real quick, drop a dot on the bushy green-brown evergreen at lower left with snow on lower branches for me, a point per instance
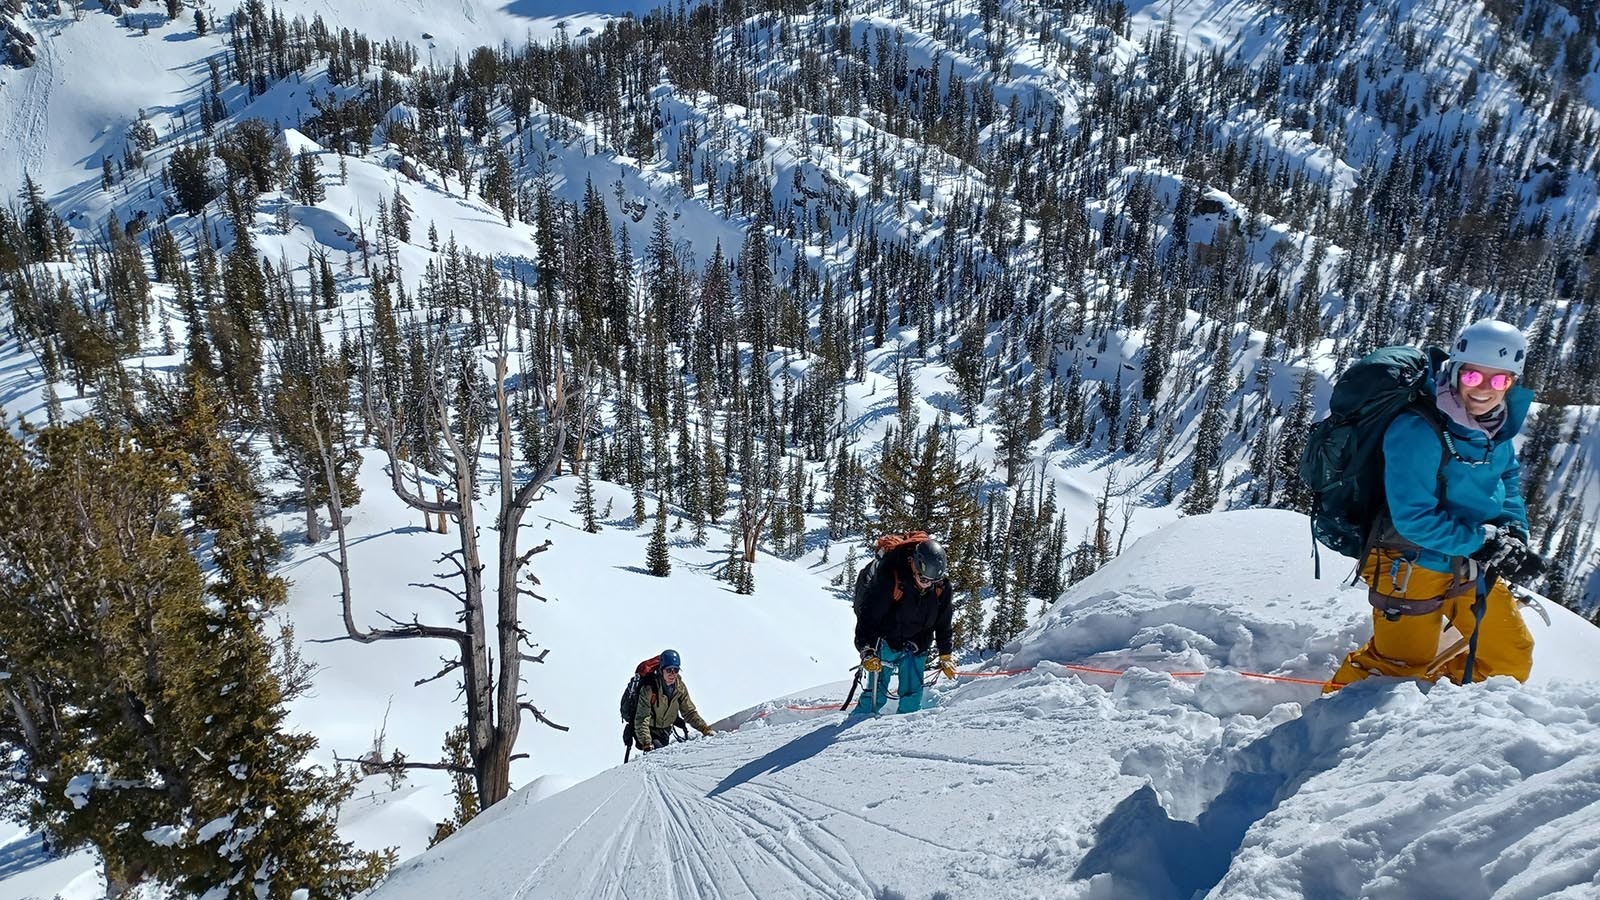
(143, 699)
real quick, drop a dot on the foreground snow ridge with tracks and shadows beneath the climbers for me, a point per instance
(1145, 787)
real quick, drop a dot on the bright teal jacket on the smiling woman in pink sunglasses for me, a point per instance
(1482, 481)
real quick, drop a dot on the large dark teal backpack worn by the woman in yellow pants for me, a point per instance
(1343, 464)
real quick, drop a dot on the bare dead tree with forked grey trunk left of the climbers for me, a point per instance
(495, 701)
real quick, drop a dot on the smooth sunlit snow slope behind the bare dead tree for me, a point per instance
(604, 616)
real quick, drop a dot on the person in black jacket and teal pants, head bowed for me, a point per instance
(903, 606)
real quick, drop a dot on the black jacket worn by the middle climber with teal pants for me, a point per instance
(916, 617)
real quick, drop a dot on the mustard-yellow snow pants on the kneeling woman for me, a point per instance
(1407, 646)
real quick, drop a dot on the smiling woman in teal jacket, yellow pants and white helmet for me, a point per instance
(1455, 507)
